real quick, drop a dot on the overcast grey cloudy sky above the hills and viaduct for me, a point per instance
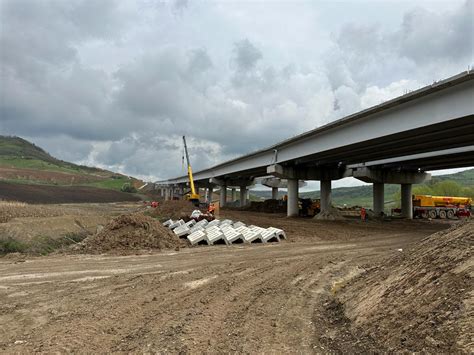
(116, 84)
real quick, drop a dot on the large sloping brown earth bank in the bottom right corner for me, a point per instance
(420, 300)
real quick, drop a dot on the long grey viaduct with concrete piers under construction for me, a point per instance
(395, 142)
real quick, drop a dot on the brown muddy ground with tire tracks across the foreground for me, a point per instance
(276, 298)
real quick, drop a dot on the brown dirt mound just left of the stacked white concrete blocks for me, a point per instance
(129, 233)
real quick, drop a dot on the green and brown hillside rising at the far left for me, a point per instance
(23, 162)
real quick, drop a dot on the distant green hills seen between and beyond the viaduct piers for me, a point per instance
(462, 183)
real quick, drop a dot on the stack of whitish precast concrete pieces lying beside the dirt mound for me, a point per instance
(223, 232)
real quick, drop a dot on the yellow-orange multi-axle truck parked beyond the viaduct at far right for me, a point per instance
(427, 206)
